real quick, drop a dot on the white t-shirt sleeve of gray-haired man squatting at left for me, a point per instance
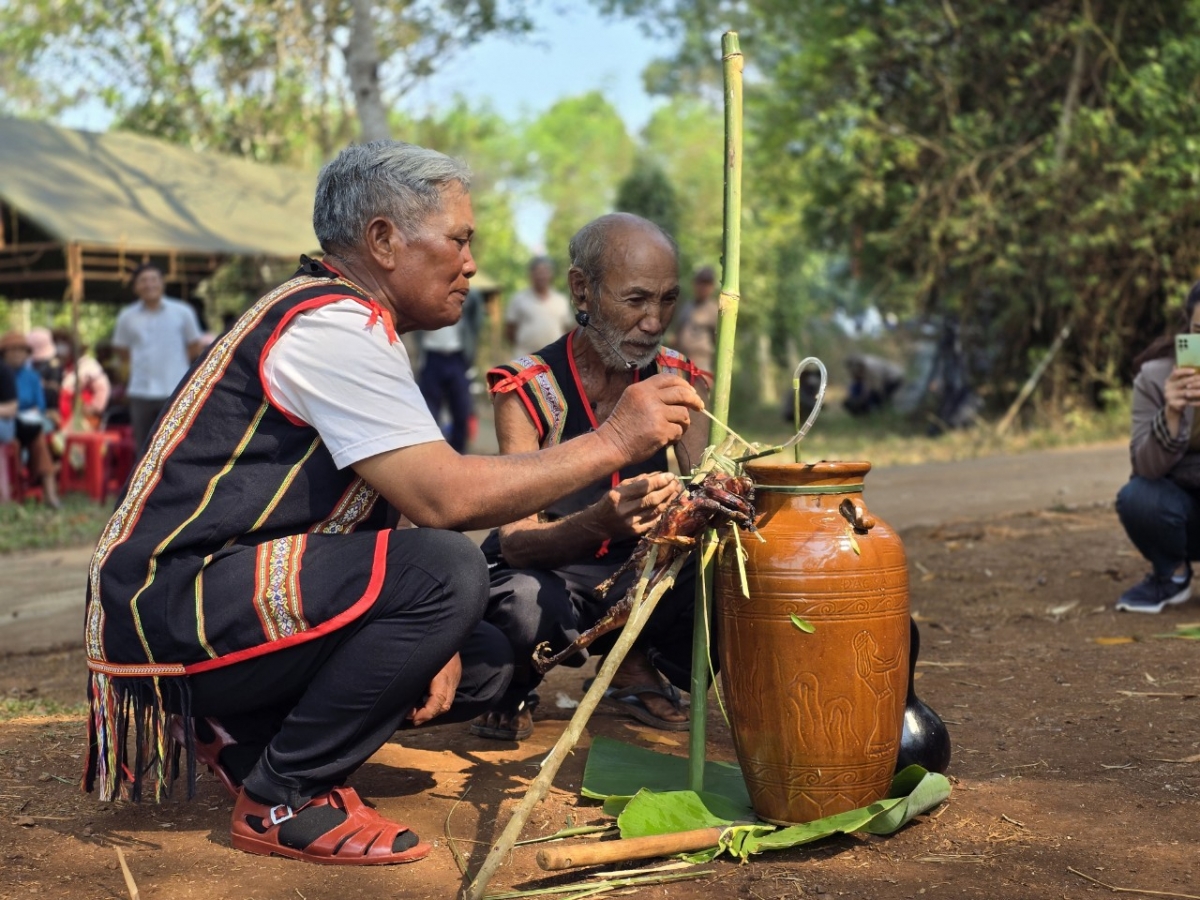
(344, 379)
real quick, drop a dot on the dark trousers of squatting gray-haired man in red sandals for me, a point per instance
(322, 709)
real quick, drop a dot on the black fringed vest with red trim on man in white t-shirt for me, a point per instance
(237, 536)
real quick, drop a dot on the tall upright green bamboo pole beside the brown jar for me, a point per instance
(723, 377)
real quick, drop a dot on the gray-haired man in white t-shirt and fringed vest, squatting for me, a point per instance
(250, 602)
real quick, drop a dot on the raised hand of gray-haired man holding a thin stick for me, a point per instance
(650, 416)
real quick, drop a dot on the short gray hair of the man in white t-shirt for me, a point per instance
(383, 178)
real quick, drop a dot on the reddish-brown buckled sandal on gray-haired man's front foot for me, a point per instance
(337, 829)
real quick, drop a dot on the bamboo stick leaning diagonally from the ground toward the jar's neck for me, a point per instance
(567, 741)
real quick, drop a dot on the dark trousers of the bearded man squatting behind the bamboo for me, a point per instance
(555, 605)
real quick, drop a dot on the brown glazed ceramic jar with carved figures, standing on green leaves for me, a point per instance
(817, 717)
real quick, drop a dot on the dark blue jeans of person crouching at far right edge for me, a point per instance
(1162, 520)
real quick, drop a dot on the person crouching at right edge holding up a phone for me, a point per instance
(1160, 507)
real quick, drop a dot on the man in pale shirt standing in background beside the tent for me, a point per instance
(158, 338)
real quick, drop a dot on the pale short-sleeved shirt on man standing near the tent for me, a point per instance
(158, 344)
